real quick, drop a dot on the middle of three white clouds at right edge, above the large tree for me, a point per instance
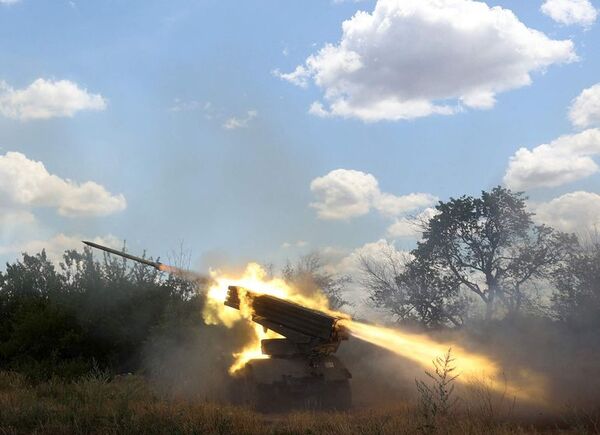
(562, 161)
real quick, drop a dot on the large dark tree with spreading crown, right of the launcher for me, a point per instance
(490, 246)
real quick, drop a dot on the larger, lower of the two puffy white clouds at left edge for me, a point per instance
(26, 183)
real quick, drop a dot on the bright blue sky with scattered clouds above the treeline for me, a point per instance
(157, 83)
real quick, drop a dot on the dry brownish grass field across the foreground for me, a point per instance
(128, 405)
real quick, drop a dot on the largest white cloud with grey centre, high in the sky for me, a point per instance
(408, 59)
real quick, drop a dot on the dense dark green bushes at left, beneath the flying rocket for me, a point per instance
(86, 314)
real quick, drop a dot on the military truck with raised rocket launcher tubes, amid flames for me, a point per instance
(301, 371)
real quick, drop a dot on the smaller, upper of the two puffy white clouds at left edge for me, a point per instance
(44, 99)
